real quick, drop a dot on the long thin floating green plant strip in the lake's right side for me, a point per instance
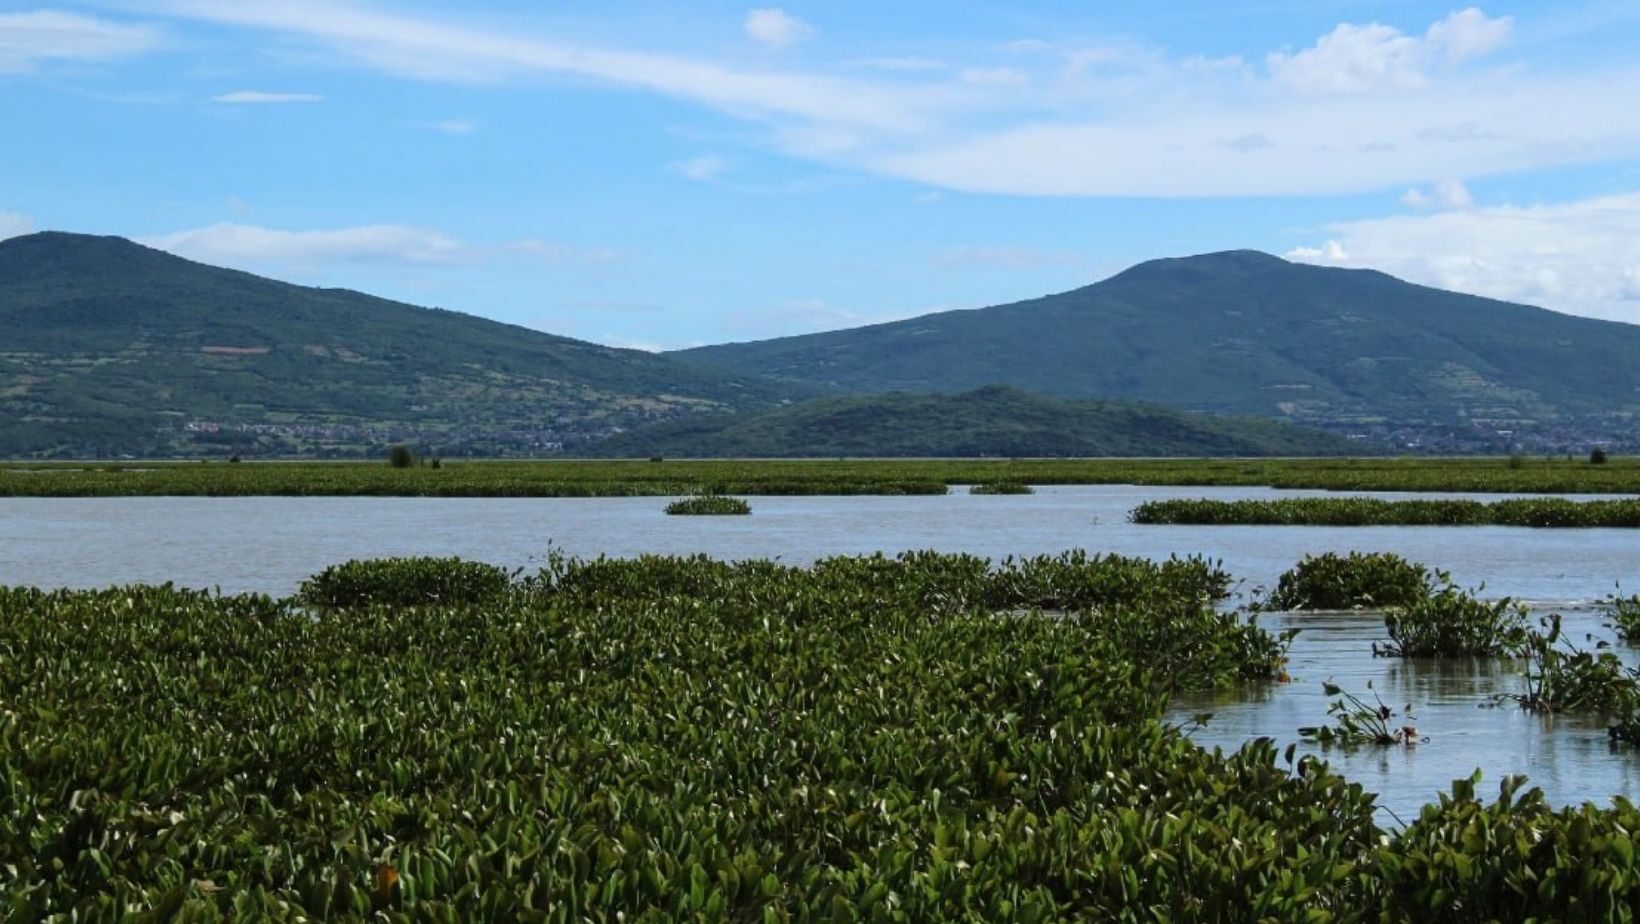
(1377, 513)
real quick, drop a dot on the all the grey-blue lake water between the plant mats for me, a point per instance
(271, 544)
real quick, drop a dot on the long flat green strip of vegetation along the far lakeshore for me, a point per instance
(808, 477)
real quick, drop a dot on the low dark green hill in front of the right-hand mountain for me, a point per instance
(995, 421)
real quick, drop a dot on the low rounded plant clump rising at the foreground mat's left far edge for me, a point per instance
(404, 582)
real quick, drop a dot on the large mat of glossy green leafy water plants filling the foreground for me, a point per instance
(672, 739)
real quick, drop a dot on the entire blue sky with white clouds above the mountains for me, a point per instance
(660, 175)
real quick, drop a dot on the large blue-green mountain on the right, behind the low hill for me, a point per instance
(1246, 332)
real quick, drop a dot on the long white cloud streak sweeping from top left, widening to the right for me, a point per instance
(1101, 122)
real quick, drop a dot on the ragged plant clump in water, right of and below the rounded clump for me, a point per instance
(1454, 624)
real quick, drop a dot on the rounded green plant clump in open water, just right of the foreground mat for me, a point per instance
(1357, 580)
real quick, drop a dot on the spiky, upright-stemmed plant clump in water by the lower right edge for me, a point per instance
(1564, 679)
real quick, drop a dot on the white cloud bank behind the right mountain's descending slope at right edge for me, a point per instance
(1575, 257)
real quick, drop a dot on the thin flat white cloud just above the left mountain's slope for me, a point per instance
(252, 247)
